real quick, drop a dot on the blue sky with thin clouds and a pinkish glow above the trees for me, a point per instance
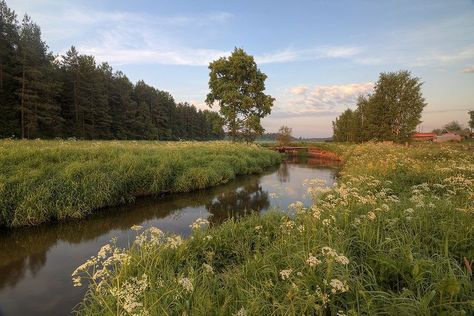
(318, 55)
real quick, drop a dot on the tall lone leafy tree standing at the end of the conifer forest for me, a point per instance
(237, 86)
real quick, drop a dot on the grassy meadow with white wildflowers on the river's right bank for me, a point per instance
(394, 236)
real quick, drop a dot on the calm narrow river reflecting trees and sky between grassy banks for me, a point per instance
(36, 263)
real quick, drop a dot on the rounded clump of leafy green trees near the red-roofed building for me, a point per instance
(391, 112)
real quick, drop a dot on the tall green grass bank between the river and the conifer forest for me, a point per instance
(42, 181)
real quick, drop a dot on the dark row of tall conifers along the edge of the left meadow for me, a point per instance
(48, 96)
